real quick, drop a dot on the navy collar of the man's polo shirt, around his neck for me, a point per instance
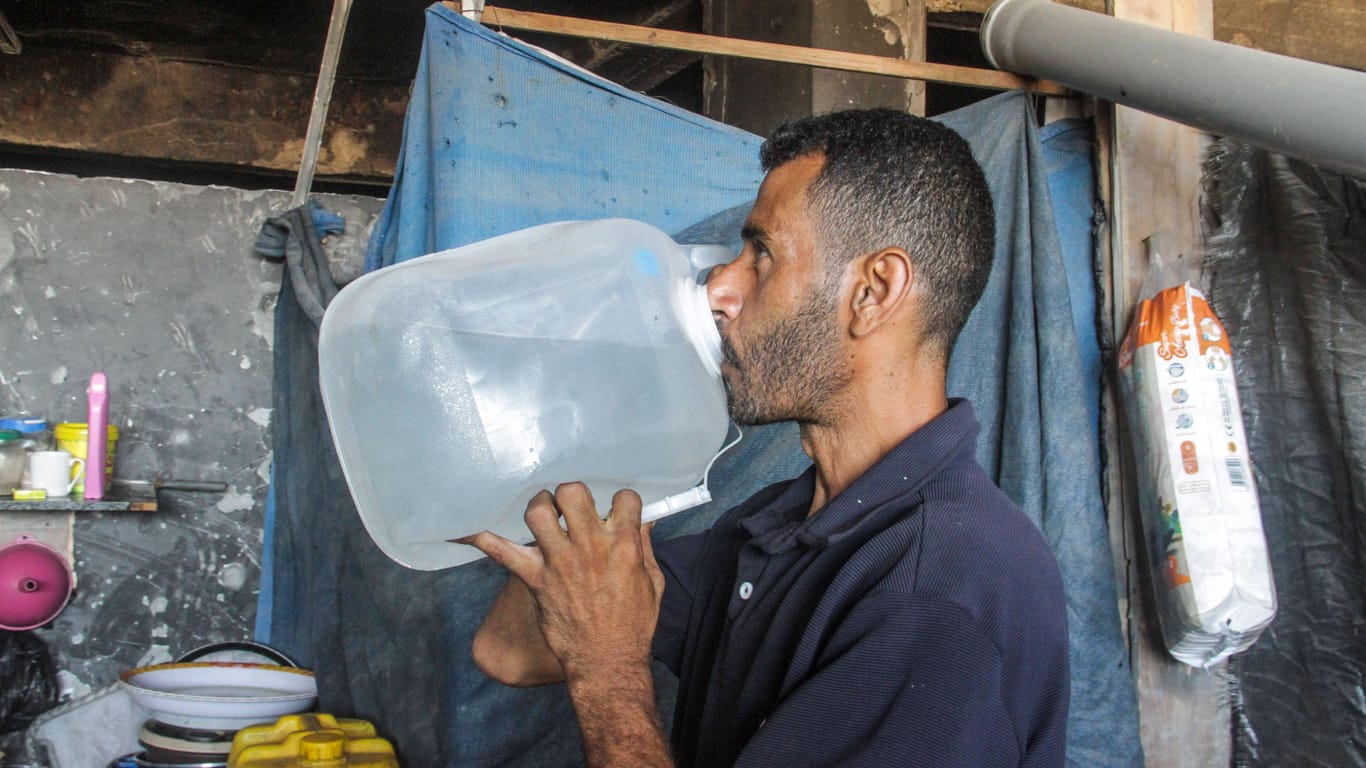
(905, 469)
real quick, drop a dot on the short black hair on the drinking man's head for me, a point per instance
(895, 180)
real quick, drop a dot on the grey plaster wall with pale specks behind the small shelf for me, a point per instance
(158, 286)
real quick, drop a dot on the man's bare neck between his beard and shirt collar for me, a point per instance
(867, 428)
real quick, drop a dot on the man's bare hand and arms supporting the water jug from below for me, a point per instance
(592, 592)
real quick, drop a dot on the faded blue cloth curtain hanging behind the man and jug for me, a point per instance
(499, 137)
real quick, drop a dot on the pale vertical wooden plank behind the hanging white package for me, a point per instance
(1155, 181)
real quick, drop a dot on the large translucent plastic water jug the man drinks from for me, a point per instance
(462, 383)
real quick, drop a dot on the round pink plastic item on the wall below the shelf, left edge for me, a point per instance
(35, 584)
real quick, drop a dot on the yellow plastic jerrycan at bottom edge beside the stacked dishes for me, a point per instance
(312, 741)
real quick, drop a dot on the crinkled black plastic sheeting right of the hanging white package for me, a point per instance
(1286, 270)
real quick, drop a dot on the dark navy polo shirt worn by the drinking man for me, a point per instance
(917, 620)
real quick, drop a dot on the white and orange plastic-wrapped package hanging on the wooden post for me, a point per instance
(1201, 516)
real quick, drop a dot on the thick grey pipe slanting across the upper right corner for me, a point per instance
(1312, 111)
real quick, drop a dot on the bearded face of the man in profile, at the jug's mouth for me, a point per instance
(777, 311)
